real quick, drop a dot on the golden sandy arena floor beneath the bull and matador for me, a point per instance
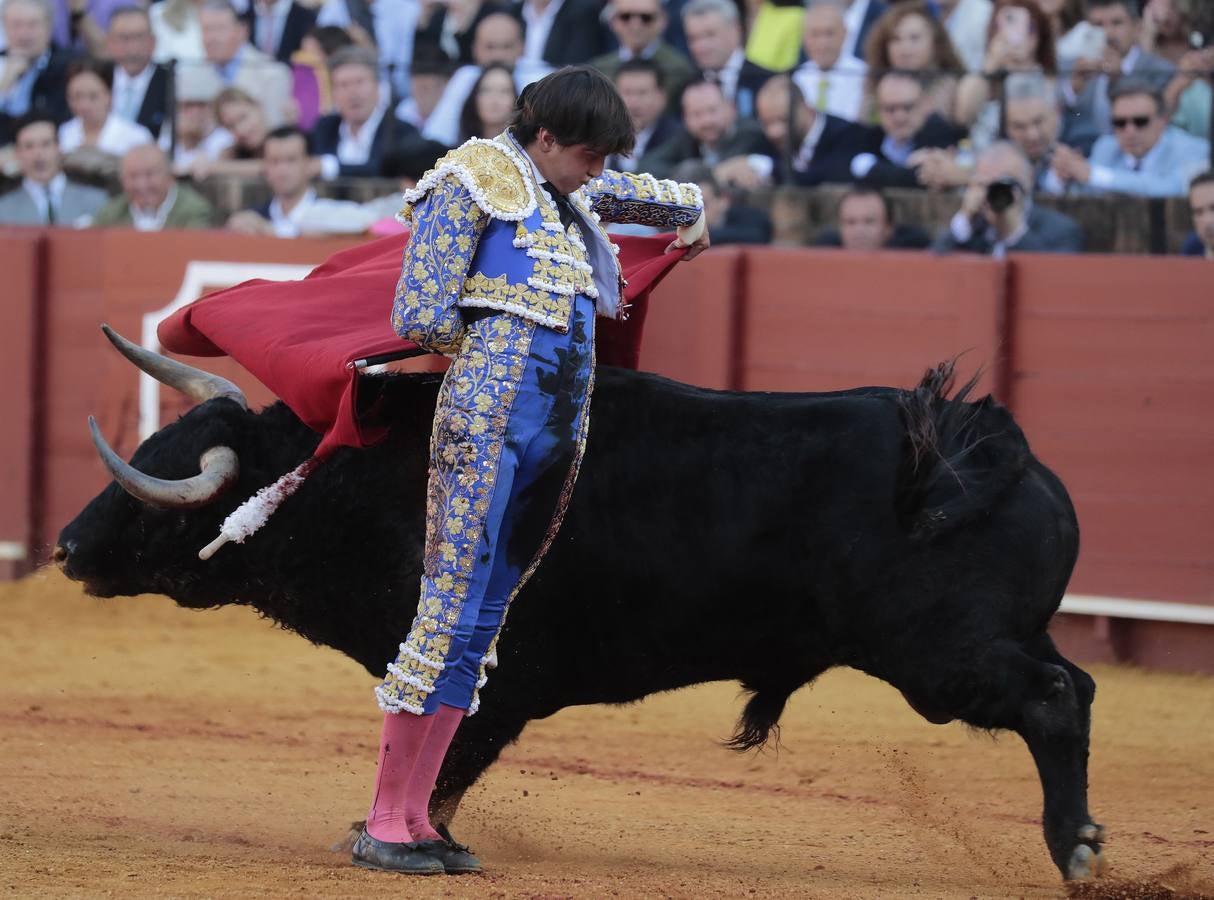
(146, 750)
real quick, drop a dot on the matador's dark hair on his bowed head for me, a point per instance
(578, 105)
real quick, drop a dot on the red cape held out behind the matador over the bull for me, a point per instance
(298, 338)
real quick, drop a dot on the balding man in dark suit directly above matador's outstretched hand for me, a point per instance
(712, 133)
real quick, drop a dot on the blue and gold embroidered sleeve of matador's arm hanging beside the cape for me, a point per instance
(447, 225)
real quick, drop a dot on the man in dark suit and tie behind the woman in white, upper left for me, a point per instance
(141, 87)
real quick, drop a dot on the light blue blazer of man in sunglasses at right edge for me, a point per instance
(1166, 171)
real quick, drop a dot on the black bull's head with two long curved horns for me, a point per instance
(143, 533)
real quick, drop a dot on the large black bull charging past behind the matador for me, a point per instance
(713, 536)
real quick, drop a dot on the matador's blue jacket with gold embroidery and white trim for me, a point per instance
(486, 235)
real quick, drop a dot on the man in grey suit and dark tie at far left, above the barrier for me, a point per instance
(46, 196)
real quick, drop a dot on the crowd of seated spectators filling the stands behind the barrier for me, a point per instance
(1001, 103)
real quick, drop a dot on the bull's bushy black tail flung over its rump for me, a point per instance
(958, 456)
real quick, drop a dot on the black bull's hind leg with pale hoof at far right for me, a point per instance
(1057, 729)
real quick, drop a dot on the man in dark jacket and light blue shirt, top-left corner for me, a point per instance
(33, 76)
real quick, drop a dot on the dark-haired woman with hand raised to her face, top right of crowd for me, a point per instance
(1019, 39)
